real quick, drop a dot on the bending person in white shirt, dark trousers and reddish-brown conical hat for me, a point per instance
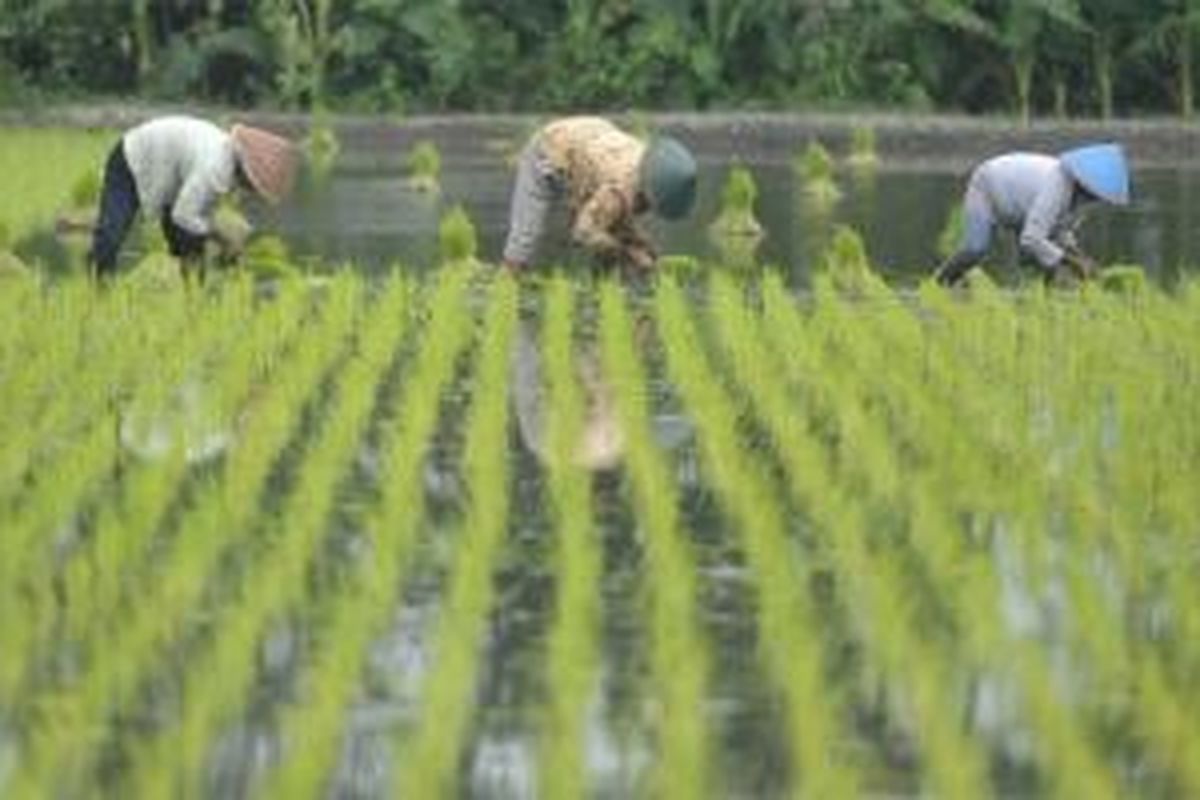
(176, 169)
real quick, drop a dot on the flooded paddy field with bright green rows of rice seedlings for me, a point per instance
(375, 533)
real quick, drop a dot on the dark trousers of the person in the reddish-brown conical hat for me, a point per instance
(118, 208)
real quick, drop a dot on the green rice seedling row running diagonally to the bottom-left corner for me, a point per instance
(64, 742)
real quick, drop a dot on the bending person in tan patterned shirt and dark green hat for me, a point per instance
(608, 178)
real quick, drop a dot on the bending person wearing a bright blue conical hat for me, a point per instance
(1042, 199)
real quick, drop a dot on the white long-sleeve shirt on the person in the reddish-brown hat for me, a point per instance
(182, 165)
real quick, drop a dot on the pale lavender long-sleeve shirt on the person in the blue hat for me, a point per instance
(1034, 195)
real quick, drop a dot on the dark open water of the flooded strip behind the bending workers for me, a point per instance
(364, 212)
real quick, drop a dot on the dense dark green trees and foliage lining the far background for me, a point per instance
(1025, 57)
